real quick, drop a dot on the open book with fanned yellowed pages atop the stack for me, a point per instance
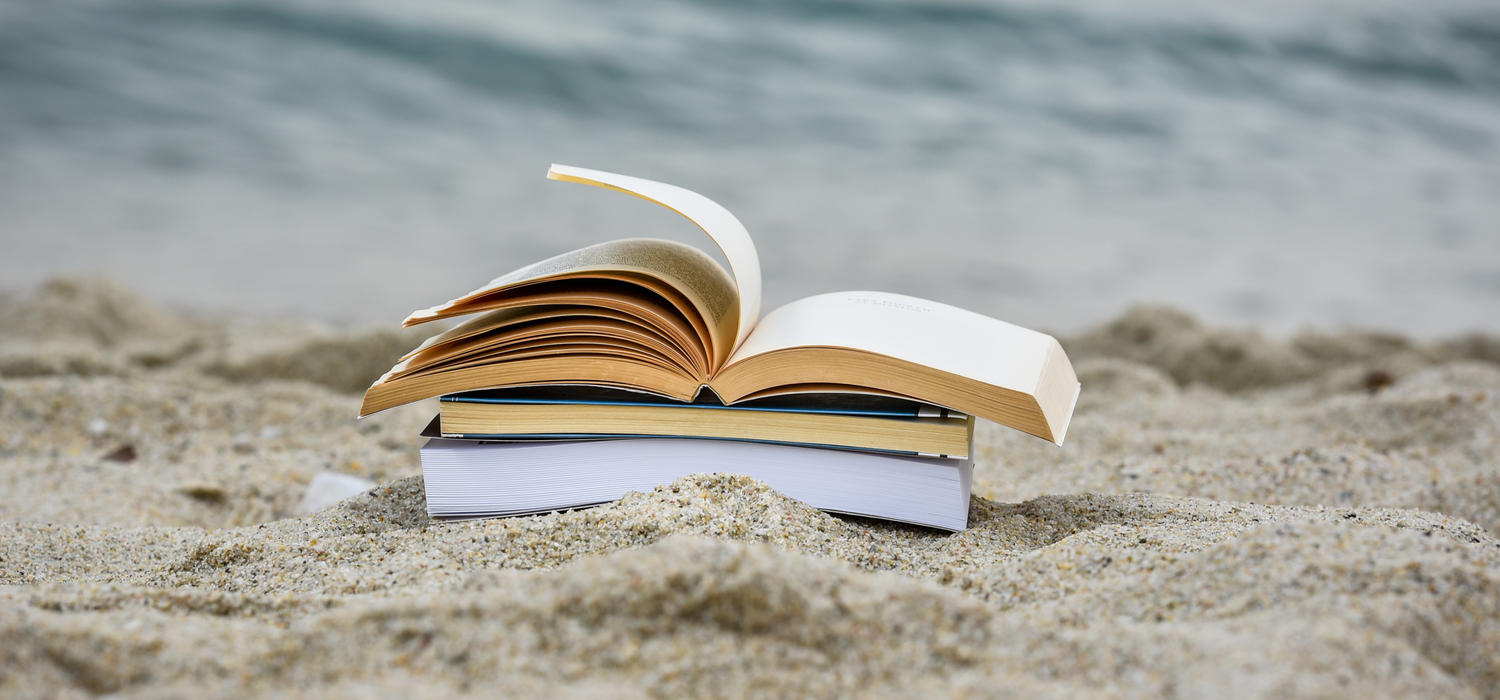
(665, 319)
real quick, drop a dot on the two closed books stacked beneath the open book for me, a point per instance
(517, 452)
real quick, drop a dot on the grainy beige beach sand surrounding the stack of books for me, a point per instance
(1232, 515)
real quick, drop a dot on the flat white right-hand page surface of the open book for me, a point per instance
(920, 332)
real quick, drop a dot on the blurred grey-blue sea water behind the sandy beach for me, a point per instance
(1279, 164)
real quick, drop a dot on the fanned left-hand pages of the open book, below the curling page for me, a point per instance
(641, 313)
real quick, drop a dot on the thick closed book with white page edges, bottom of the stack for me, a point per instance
(467, 479)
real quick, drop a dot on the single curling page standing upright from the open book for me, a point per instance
(718, 223)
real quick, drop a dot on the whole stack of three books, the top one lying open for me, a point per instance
(632, 363)
